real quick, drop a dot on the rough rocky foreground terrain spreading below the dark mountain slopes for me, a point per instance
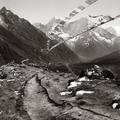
(30, 93)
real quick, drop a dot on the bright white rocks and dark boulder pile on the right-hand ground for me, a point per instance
(90, 75)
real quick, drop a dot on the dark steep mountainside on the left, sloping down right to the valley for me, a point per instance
(20, 40)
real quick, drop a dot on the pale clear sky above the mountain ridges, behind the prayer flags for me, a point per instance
(43, 10)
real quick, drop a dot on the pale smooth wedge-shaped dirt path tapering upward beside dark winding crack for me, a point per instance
(37, 103)
